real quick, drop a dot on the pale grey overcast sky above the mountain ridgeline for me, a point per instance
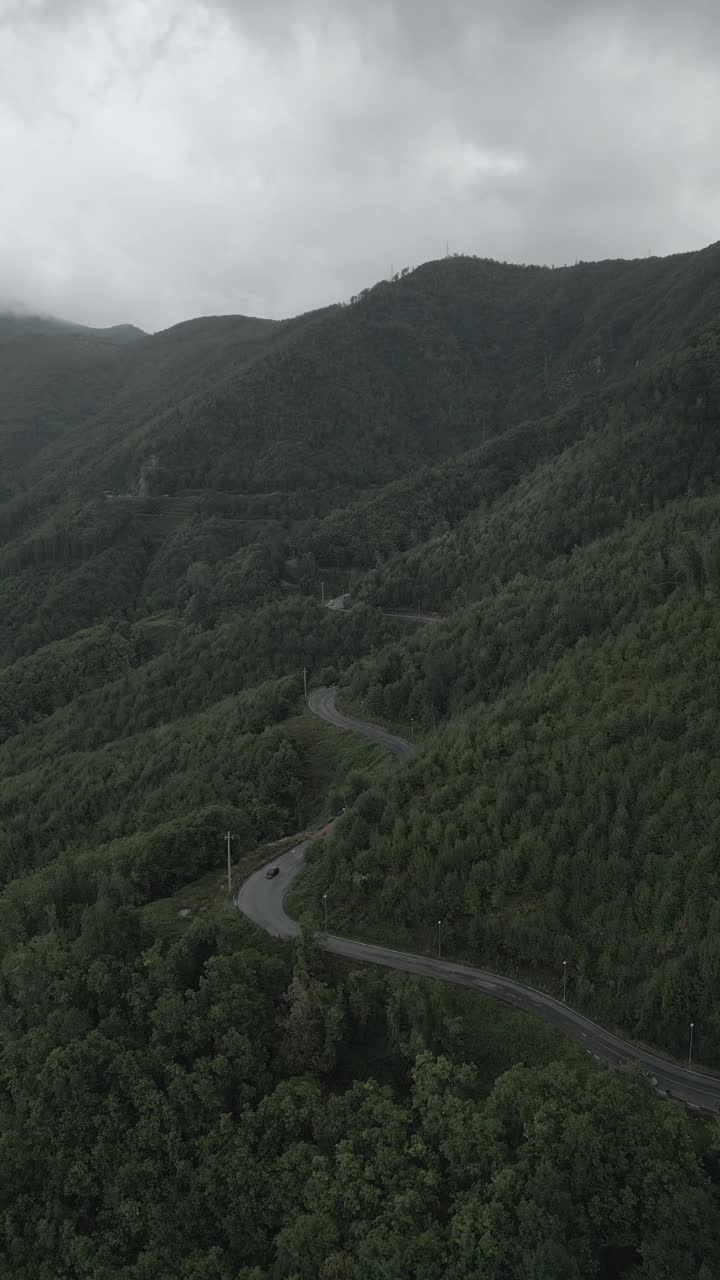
(165, 159)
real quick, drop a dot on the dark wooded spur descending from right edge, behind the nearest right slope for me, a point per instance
(554, 482)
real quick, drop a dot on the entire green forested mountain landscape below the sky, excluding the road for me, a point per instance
(534, 458)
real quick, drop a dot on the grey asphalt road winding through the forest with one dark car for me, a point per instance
(262, 900)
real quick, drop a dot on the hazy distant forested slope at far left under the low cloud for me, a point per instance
(66, 388)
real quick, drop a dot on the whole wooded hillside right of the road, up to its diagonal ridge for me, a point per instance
(566, 810)
